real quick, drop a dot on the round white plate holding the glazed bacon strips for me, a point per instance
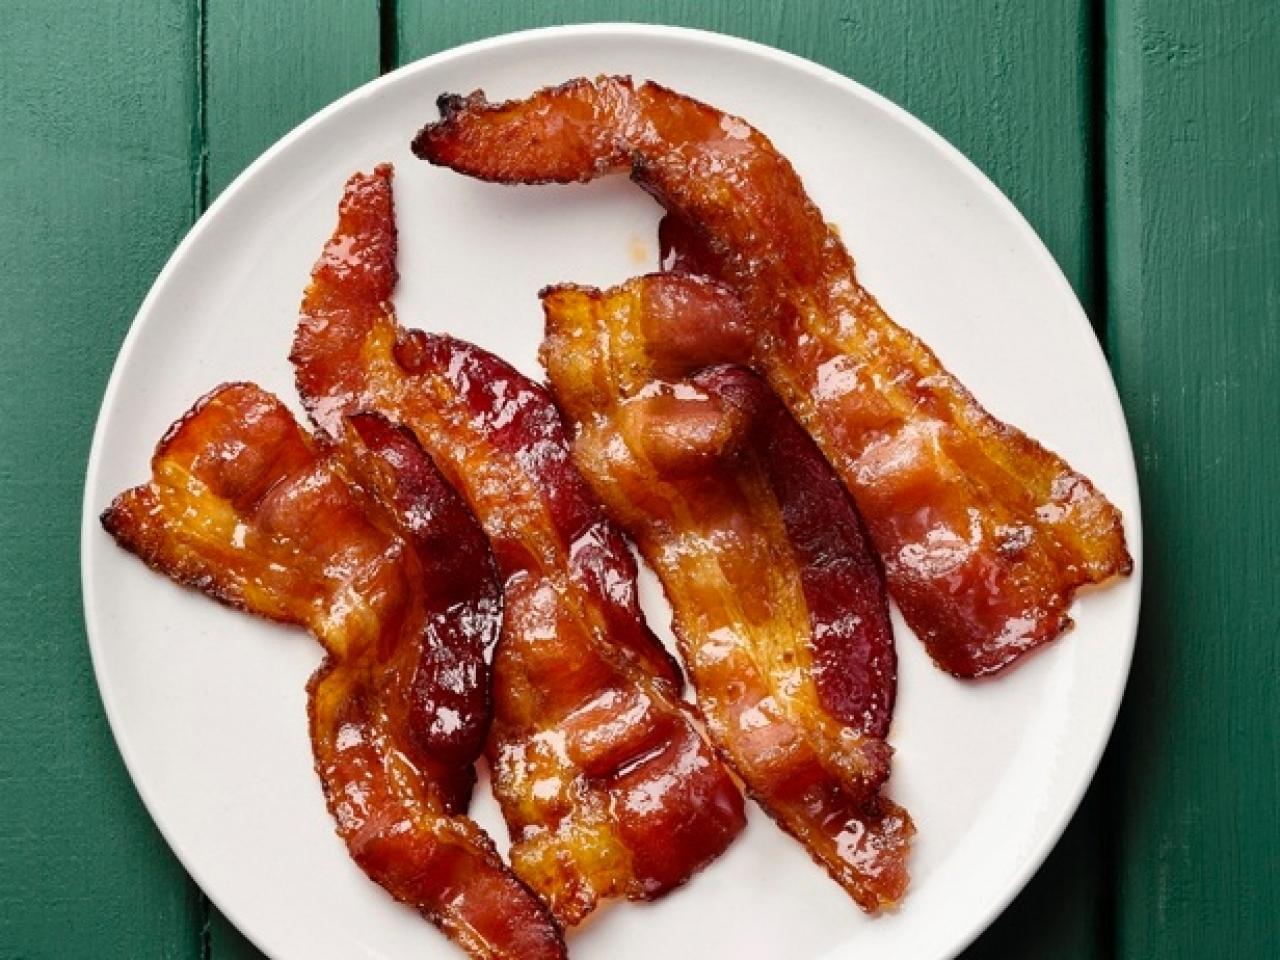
(208, 706)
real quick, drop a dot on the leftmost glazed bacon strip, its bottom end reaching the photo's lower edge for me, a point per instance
(349, 541)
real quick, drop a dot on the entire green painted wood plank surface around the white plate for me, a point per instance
(1165, 220)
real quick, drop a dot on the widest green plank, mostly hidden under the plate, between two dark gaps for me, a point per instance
(1007, 83)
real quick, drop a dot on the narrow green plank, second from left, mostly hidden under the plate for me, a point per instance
(268, 67)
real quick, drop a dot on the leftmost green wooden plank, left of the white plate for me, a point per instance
(98, 106)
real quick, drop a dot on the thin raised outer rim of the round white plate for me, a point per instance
(1049, 839)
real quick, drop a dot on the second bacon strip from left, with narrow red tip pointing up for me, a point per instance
(606, 785)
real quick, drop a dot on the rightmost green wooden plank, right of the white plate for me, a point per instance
(1194, 240)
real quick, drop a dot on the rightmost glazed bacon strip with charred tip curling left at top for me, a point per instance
(985, 534)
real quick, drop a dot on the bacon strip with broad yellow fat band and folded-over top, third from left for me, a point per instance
(779, 598)
